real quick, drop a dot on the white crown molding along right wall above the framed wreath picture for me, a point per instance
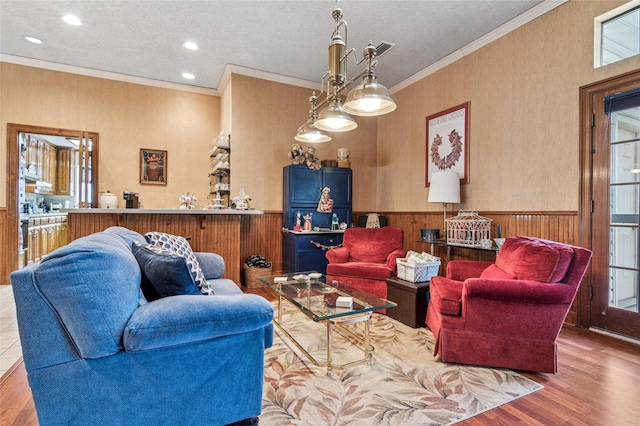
(515, 23)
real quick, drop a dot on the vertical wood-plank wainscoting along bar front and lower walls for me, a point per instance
(262, 234)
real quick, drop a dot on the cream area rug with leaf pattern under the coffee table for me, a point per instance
(404, 385)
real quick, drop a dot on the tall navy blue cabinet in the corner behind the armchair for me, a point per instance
(302, 188)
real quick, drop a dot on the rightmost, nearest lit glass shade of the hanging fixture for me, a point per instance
(369, 98)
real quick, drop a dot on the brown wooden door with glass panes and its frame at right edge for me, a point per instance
(611, 204)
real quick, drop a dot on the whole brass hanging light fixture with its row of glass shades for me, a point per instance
(369, 98)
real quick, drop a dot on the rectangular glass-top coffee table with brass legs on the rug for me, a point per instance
(327, 303)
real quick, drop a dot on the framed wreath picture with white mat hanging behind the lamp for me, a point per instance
(448, 142)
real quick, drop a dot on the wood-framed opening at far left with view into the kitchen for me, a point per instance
(48, 168)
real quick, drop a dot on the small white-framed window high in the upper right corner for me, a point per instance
(617, 34)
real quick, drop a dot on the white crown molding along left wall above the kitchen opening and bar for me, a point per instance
(54, 66)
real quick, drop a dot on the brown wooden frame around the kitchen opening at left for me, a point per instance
(13, 163)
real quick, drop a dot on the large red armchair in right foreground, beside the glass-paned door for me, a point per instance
(508, 313)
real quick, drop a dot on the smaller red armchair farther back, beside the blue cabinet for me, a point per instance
(367, 258)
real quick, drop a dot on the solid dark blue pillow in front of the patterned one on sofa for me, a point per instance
(163, 272)
